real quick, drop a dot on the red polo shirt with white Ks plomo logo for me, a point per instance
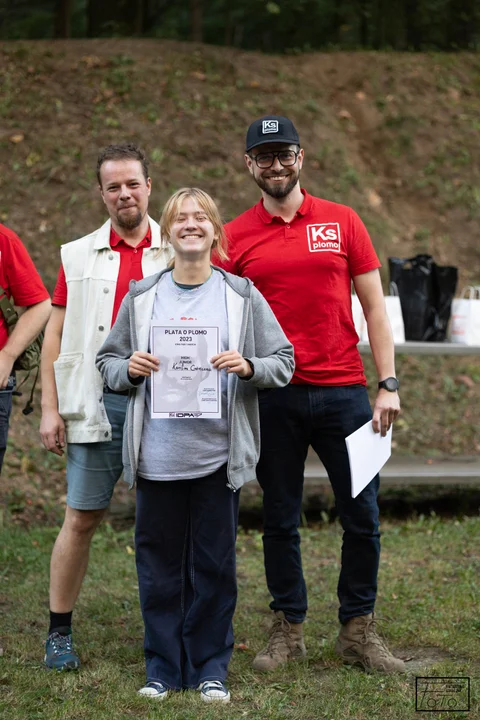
(304, 269)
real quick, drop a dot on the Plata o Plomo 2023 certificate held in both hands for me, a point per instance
(186, 385)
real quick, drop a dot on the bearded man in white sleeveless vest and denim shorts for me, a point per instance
(79, 414)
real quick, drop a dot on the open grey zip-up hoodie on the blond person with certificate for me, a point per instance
(253, 330)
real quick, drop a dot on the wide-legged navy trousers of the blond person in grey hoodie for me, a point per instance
(185, 551)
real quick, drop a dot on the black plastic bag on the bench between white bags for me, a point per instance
(426, 292)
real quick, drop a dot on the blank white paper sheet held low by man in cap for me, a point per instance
(368, 452)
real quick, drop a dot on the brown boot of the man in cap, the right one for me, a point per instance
(358, 643)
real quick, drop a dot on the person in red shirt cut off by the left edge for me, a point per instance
(21, 283)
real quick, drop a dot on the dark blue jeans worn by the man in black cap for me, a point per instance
(292, 418)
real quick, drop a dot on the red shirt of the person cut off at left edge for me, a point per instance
(18, 276)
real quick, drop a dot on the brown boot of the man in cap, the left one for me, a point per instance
(285, 643)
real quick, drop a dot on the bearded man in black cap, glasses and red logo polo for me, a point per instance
(302, 253)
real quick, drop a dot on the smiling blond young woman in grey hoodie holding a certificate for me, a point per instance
(188, 466)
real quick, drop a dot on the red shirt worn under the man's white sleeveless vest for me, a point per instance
(130, 269)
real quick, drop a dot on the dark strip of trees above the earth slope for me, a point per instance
(291, 26)
